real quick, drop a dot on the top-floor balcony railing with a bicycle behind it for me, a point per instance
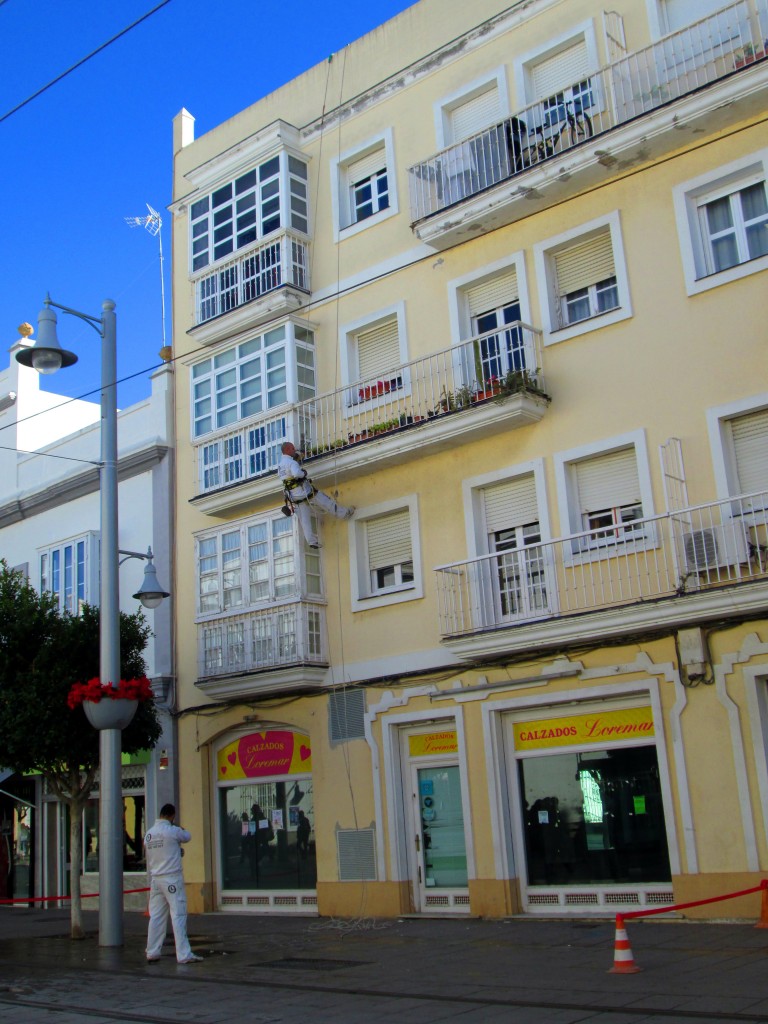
(642, 81)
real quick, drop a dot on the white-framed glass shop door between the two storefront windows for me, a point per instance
(440, 840)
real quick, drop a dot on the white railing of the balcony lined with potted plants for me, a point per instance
(492, 367)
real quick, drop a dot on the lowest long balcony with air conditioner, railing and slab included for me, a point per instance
(660, 574)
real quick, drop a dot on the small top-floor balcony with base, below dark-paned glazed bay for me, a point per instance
(270, 279)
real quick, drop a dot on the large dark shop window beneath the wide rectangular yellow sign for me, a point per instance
(594, 818)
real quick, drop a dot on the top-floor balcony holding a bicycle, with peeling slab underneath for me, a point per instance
(619, 117)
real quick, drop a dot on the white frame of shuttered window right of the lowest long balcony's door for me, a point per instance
(571, 515)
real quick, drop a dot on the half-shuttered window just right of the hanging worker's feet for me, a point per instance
(386, 561)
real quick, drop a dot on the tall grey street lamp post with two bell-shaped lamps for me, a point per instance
(47, 356)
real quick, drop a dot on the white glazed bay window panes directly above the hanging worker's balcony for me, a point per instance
(239, 383)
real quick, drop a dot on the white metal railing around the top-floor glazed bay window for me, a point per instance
(282, 261)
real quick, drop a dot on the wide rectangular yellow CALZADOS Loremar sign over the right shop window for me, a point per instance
(599, 728)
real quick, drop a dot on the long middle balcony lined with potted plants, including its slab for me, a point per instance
(488, 383)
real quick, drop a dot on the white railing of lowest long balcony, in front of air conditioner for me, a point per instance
(668, 556)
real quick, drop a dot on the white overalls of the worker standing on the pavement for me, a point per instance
(163, 846)
